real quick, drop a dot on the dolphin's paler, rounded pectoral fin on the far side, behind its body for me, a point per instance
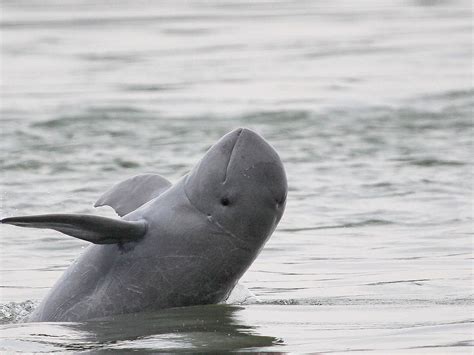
(128, 195)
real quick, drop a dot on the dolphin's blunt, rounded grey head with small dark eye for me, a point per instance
(240, 184)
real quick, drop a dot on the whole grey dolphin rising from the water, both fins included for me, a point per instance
(175, 245)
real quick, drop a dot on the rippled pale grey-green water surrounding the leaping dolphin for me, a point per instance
(369, 104)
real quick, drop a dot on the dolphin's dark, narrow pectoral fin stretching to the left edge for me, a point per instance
(94, 229)
